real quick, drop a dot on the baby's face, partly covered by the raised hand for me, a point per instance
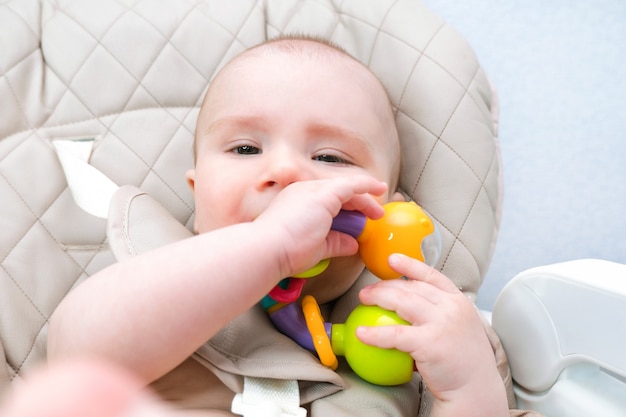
(273, 119)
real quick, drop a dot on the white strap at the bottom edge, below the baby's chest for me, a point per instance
(267, 397)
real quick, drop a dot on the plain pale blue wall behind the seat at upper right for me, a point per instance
(559, 67)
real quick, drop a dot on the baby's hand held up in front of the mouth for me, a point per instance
(301, 216)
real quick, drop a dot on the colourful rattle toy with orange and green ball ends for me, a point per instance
(405, 228)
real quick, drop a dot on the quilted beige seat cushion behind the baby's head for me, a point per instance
(131, 74)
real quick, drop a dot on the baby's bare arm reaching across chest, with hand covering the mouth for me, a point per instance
(150, 312)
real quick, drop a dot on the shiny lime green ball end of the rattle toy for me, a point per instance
(373, 364)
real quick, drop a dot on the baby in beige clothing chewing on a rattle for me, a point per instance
(290, 132)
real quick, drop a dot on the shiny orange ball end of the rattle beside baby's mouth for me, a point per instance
(401, 230)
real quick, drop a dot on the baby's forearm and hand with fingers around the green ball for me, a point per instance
(446, 339)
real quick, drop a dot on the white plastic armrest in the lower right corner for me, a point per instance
(563, 327)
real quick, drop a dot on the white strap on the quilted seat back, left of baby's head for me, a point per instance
(91, 189)
